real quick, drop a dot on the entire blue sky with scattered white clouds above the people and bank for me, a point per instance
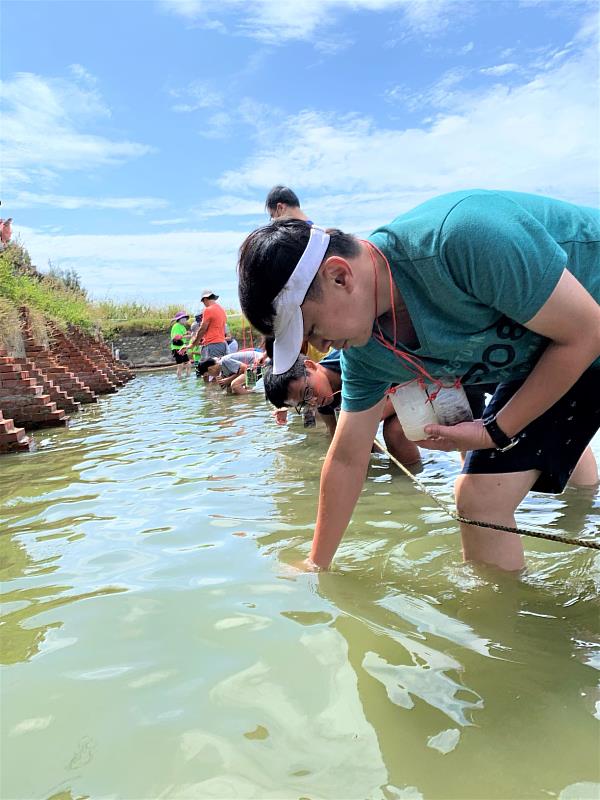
(139, 138)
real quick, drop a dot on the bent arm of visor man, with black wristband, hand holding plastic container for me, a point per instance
(570, 319)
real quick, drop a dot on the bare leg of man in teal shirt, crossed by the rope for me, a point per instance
(492, 498)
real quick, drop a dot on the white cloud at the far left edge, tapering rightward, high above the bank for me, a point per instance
(42, 129)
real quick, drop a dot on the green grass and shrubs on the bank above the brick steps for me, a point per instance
(59, 296)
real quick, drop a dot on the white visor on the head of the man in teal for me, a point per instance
(288, 325)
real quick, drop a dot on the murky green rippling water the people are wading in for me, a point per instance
(155, 643)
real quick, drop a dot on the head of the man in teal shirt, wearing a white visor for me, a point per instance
(297, 281)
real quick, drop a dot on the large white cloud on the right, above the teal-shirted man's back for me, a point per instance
(540, 135)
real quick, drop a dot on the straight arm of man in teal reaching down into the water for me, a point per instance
(342, 478)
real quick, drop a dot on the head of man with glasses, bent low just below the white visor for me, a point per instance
(306, 383)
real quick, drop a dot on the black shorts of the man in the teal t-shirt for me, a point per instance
(553, 443)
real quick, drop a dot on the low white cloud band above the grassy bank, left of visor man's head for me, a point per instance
(159, 267)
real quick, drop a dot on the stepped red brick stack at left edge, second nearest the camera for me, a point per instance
(23, 400)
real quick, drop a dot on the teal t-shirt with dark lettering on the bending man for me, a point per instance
(472, 268)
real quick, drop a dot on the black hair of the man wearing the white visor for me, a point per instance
(267, 258)
